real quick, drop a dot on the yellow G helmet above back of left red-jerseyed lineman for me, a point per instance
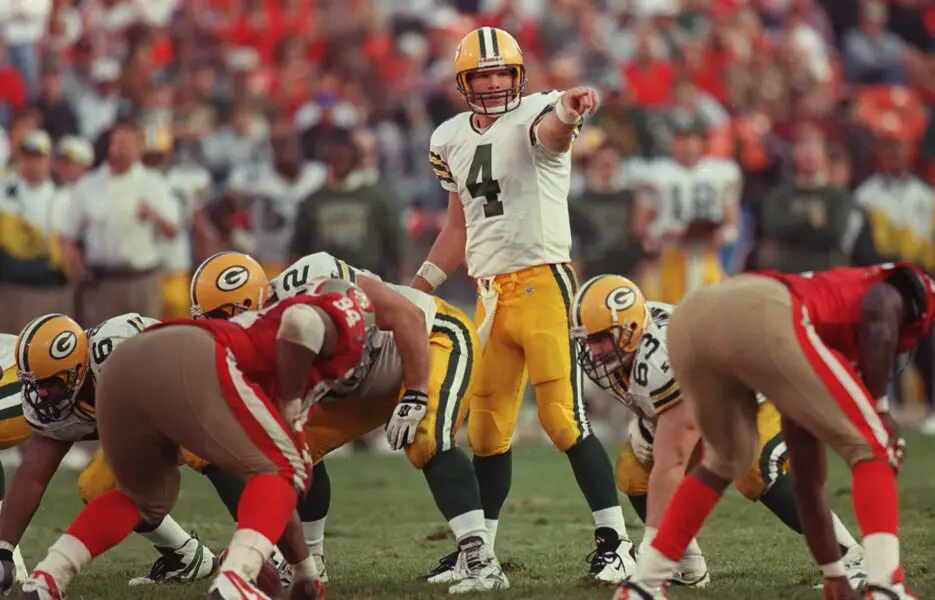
(228, 284)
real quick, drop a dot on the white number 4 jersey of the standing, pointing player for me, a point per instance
(514, 191)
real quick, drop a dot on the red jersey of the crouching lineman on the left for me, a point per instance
(250, 338)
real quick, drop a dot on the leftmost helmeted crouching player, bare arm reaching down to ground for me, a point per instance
(53, 357)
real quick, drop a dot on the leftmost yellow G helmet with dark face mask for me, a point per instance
(52, 362)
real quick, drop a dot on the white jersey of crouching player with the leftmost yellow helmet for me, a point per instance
(102, 339)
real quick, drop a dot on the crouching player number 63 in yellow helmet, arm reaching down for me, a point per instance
(621, 342)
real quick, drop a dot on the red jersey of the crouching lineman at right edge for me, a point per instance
(833, 300)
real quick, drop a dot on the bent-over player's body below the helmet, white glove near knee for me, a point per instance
(415, 382)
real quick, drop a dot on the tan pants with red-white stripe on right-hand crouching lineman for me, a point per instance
(748, 333)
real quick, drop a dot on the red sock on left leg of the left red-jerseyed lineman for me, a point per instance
(105, 522)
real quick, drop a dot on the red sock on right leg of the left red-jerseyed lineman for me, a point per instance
(265, 506)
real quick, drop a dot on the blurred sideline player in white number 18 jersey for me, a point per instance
(695, 201)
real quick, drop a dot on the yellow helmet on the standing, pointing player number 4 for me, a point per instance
(490, 49)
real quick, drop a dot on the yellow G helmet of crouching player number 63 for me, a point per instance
(611, 308)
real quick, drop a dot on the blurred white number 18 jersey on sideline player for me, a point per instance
(685, 194)
